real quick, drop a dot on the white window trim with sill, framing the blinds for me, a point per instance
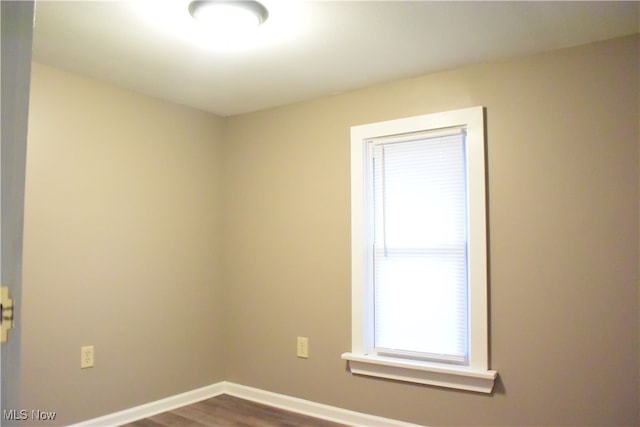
(476, 376)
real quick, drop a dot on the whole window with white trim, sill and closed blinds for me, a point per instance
(419, 264)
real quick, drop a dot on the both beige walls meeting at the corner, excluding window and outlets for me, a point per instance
(122, 242)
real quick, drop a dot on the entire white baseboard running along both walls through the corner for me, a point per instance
(294, 404)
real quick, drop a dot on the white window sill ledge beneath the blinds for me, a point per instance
(458, 377)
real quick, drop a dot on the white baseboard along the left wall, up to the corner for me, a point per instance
(154, 408)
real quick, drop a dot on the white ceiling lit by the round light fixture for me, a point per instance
(306, 49)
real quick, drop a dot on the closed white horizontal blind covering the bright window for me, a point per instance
(418, 195)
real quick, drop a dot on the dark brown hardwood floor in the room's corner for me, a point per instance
(225, 410)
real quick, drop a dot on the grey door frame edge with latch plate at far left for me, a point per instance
(17, 40)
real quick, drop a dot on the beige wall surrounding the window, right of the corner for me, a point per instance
(563, 198)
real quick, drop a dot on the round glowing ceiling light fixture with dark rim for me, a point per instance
(229, 18)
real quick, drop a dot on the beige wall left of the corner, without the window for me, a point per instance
(121, 248)
